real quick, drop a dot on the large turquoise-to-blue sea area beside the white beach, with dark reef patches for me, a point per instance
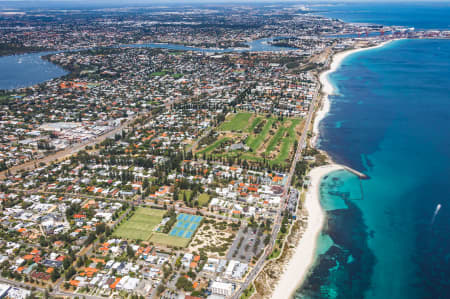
(391, 120)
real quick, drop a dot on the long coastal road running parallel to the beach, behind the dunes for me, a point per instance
(277, 225)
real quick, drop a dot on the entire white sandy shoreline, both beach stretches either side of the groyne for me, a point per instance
(303, 258)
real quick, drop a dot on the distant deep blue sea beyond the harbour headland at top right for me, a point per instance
(421, 15)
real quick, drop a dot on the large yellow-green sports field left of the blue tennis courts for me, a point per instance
(140, 226)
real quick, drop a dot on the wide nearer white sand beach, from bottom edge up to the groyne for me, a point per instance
(303, 257)
